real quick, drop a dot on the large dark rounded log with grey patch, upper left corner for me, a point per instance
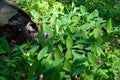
(15, 24)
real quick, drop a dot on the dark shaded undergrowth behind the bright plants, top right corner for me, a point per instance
(107, 8)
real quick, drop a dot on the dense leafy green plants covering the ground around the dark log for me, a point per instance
(82, 46)
